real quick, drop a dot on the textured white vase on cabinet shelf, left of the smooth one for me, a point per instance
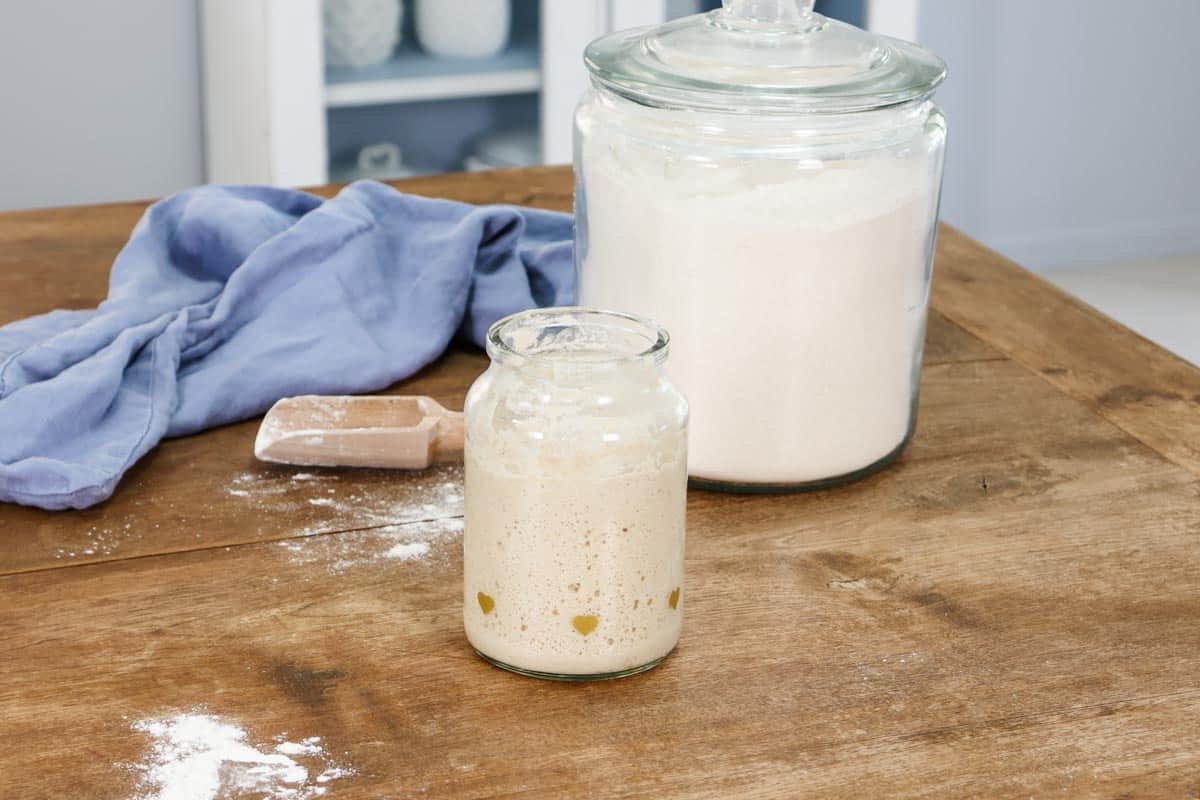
(361, 33)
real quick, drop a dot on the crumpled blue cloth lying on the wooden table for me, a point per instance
(227, 299)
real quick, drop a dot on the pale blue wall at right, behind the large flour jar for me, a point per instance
(1075, 127)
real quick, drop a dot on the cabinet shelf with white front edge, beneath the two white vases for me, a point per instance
(413, 75)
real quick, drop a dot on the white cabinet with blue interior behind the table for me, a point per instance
(274, 115)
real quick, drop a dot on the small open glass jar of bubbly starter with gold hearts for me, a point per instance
(577, 489)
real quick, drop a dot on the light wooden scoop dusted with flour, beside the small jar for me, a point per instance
(389, 432)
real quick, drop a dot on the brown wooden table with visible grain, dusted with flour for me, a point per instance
(1012, 610)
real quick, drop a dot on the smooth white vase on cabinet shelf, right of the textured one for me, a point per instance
(464, 29)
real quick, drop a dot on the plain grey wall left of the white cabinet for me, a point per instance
(99, 101)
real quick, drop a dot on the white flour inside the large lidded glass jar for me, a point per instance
(795, 294)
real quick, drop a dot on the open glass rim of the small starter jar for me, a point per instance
(616, 338)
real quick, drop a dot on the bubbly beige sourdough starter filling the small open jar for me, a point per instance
(574, 575)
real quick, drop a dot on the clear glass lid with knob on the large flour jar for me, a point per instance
(775, 57)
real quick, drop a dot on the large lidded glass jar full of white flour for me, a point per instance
(765, 183)
